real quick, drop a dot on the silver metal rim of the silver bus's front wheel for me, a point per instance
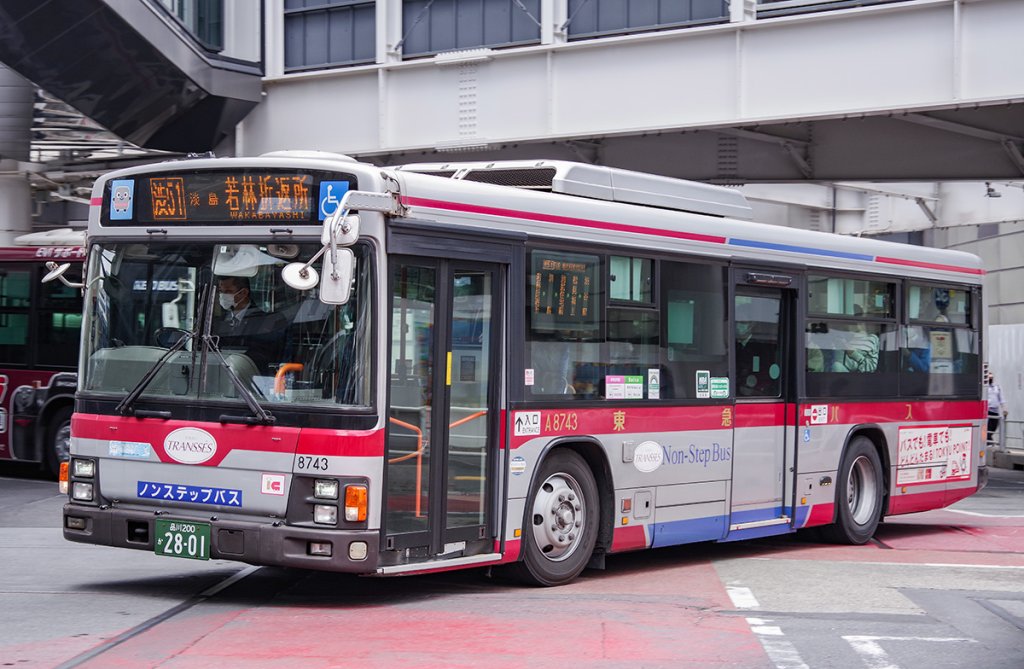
(560, 517)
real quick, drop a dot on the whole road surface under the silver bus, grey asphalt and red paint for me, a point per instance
(935, 591)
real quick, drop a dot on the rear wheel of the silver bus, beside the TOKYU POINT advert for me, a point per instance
(859, 495)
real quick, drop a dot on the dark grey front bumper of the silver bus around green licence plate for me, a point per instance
(255, 543)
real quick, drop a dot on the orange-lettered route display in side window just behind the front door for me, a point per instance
(563, 292)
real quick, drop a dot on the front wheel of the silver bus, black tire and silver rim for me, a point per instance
(562, 522)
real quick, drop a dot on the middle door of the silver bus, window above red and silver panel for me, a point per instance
(764, 423)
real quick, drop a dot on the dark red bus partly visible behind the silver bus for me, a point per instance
(40, 327)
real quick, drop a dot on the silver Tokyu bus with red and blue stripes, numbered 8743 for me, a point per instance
(306, 361)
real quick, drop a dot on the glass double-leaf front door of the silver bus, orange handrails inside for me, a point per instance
(443, 424)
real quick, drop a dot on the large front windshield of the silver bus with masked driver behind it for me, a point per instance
(202, 321)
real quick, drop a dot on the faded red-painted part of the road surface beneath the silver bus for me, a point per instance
(658, 609)
